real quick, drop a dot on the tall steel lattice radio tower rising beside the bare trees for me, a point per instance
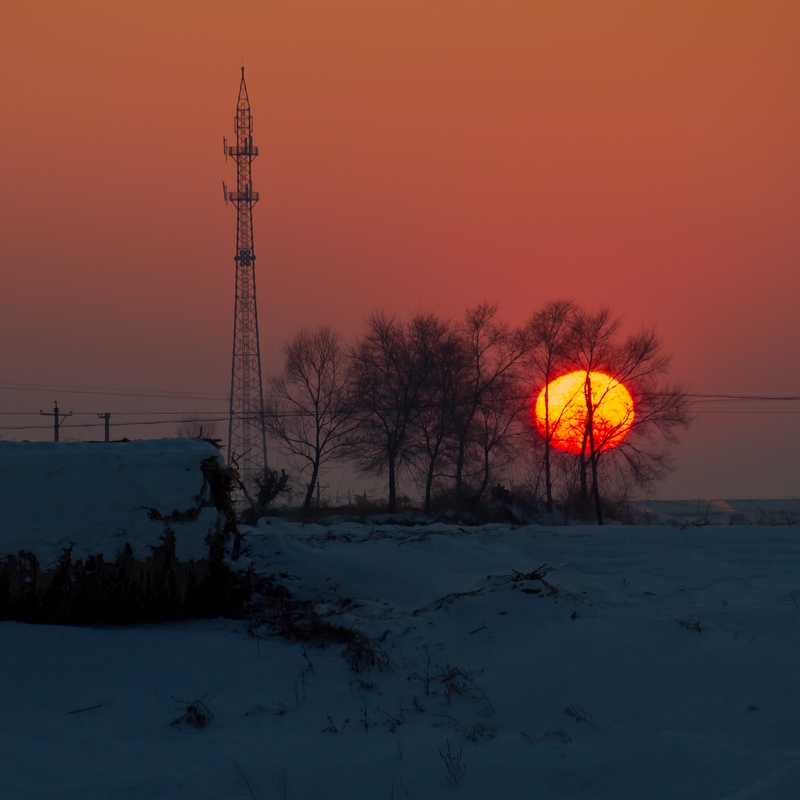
(247, 439)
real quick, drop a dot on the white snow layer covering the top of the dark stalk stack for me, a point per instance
(97, 497)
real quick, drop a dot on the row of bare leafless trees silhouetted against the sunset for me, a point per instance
(447, 404)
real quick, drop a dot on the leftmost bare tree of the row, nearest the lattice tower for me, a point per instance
(307, 411)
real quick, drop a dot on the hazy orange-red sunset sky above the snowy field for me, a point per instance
(413, 156)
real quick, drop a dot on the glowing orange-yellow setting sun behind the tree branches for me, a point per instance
(566, 399)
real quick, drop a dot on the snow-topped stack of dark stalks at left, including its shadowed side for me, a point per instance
(113, 531)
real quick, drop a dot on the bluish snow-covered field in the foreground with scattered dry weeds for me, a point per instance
(652, 662)
